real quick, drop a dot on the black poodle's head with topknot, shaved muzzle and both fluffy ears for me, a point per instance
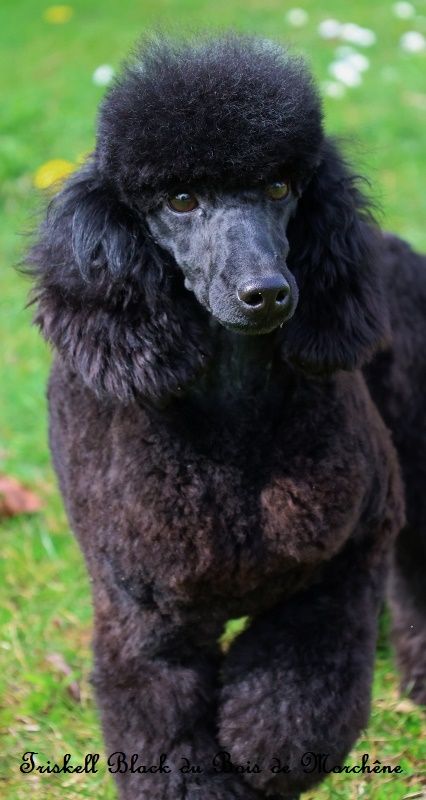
(211, 192)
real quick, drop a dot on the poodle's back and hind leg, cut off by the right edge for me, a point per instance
(397, 380)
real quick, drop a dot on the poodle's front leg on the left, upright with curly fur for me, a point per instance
(155, 680)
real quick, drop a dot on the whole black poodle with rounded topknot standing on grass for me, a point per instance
(212, 281)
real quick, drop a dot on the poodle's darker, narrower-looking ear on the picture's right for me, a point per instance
(341, 317)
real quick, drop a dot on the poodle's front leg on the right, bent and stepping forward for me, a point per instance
(297, 683)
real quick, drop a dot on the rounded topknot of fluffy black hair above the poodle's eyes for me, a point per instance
(222, 111)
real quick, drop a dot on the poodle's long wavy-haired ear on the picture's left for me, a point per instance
(113, 305)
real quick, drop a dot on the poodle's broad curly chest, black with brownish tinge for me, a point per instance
(186, 505)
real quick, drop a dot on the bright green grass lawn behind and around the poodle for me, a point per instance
(48, 110)
